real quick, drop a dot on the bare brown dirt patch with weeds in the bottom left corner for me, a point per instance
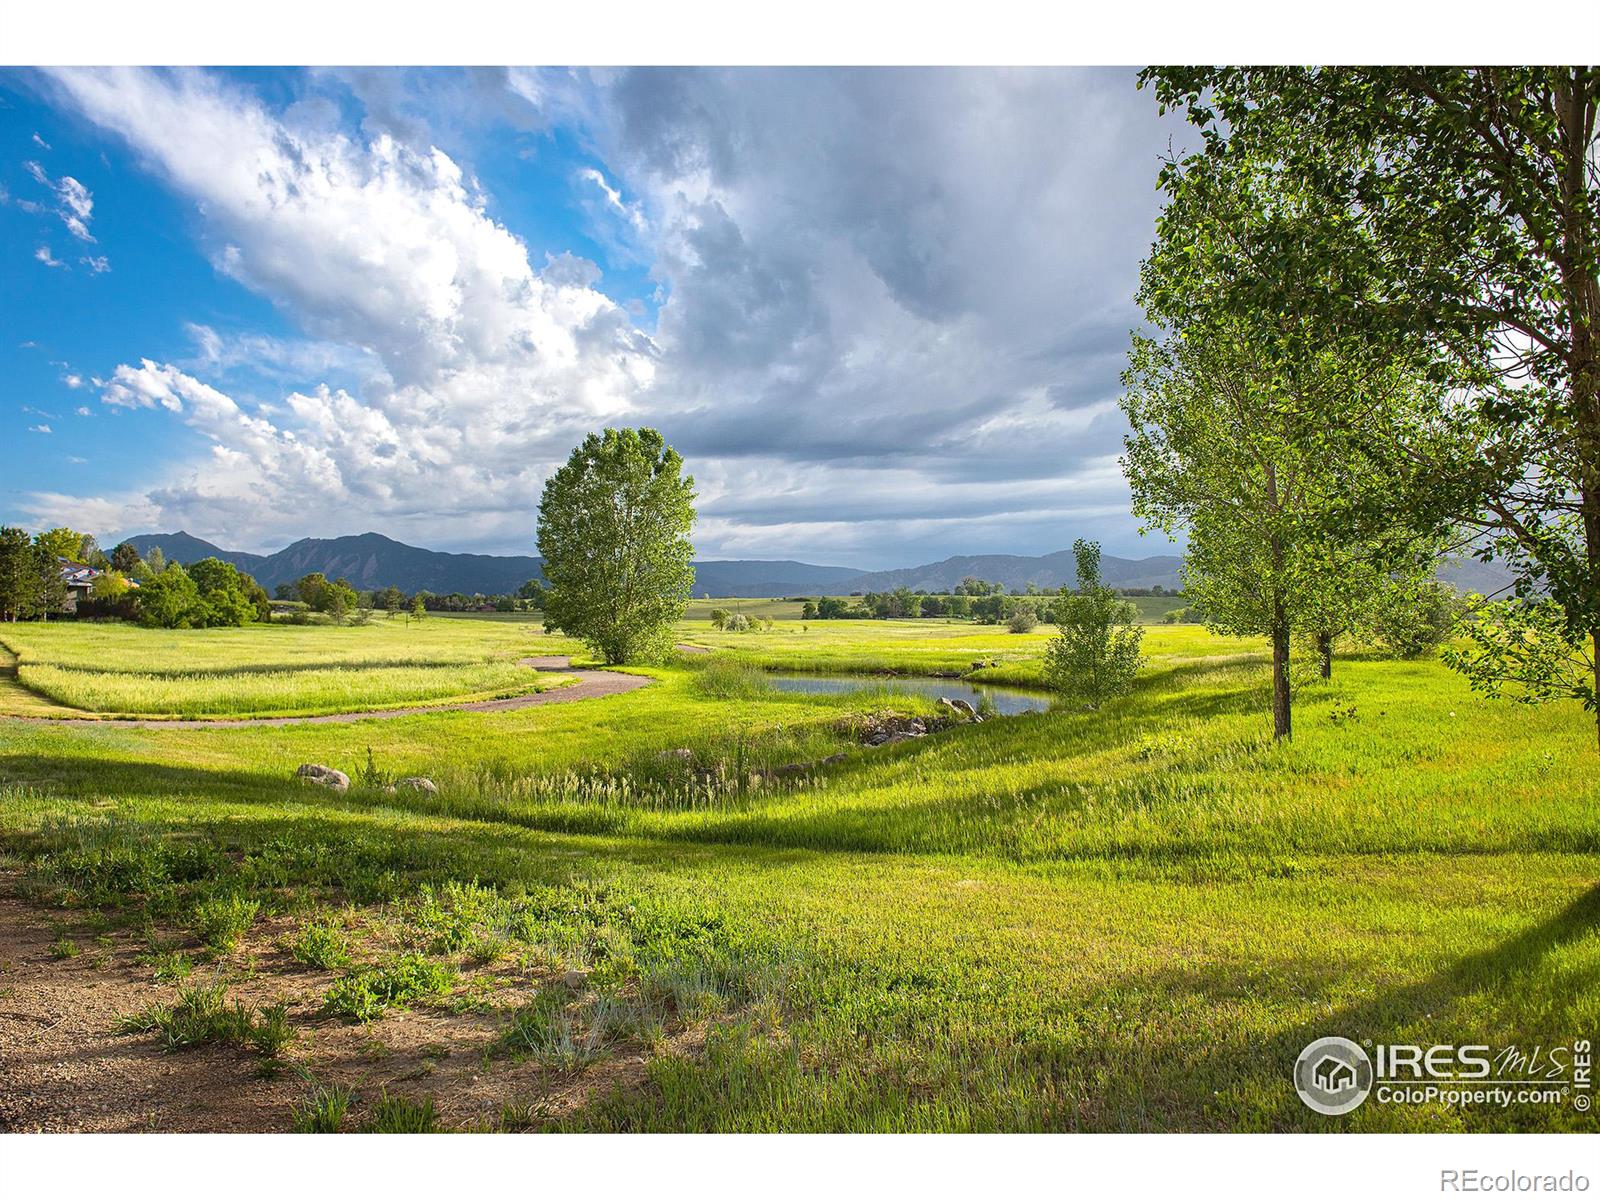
(66, 1068)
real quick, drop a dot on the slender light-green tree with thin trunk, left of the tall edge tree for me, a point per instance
(1274, 434)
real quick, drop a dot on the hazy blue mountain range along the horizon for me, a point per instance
(370, 561)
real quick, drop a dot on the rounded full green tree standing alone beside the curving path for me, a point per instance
(615, 534)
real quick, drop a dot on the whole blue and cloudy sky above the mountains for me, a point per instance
(881, 313)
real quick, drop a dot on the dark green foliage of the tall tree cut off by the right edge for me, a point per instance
(1452, 225)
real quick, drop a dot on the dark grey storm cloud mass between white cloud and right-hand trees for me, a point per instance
(926, 271)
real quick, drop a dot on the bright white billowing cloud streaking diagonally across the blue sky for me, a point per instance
(479, 370)
